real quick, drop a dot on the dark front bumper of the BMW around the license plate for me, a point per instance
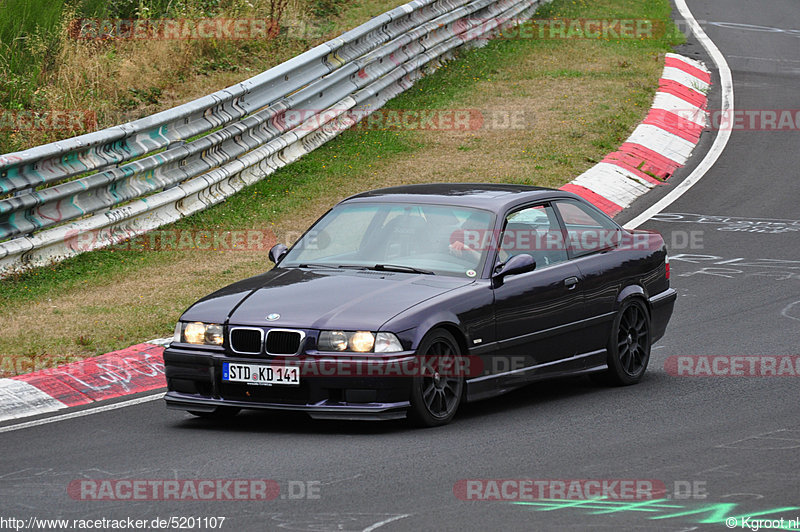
(194, 382)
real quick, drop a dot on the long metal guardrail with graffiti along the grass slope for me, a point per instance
(128, 179)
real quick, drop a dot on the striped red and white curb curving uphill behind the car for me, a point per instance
(661, 144)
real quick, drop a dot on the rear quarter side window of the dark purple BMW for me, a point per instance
(588, 231)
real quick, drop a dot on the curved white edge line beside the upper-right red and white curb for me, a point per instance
(723, 135)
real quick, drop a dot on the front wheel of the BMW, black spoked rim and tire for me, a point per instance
(435, 398)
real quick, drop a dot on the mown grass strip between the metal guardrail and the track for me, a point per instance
(579, 99)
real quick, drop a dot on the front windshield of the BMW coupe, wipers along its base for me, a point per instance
(435, 239)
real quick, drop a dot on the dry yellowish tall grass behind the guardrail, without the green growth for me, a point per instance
(122, 80)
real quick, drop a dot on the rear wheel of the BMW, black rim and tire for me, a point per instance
(628, 345)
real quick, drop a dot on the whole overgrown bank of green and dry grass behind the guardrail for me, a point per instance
(49, 64)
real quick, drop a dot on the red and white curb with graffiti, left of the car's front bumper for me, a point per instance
(136, 369)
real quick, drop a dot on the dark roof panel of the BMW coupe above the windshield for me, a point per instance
(490, 196)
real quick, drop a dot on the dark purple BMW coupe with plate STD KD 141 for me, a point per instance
(408, 301)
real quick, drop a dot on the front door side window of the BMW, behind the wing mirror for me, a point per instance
(535, 231)
